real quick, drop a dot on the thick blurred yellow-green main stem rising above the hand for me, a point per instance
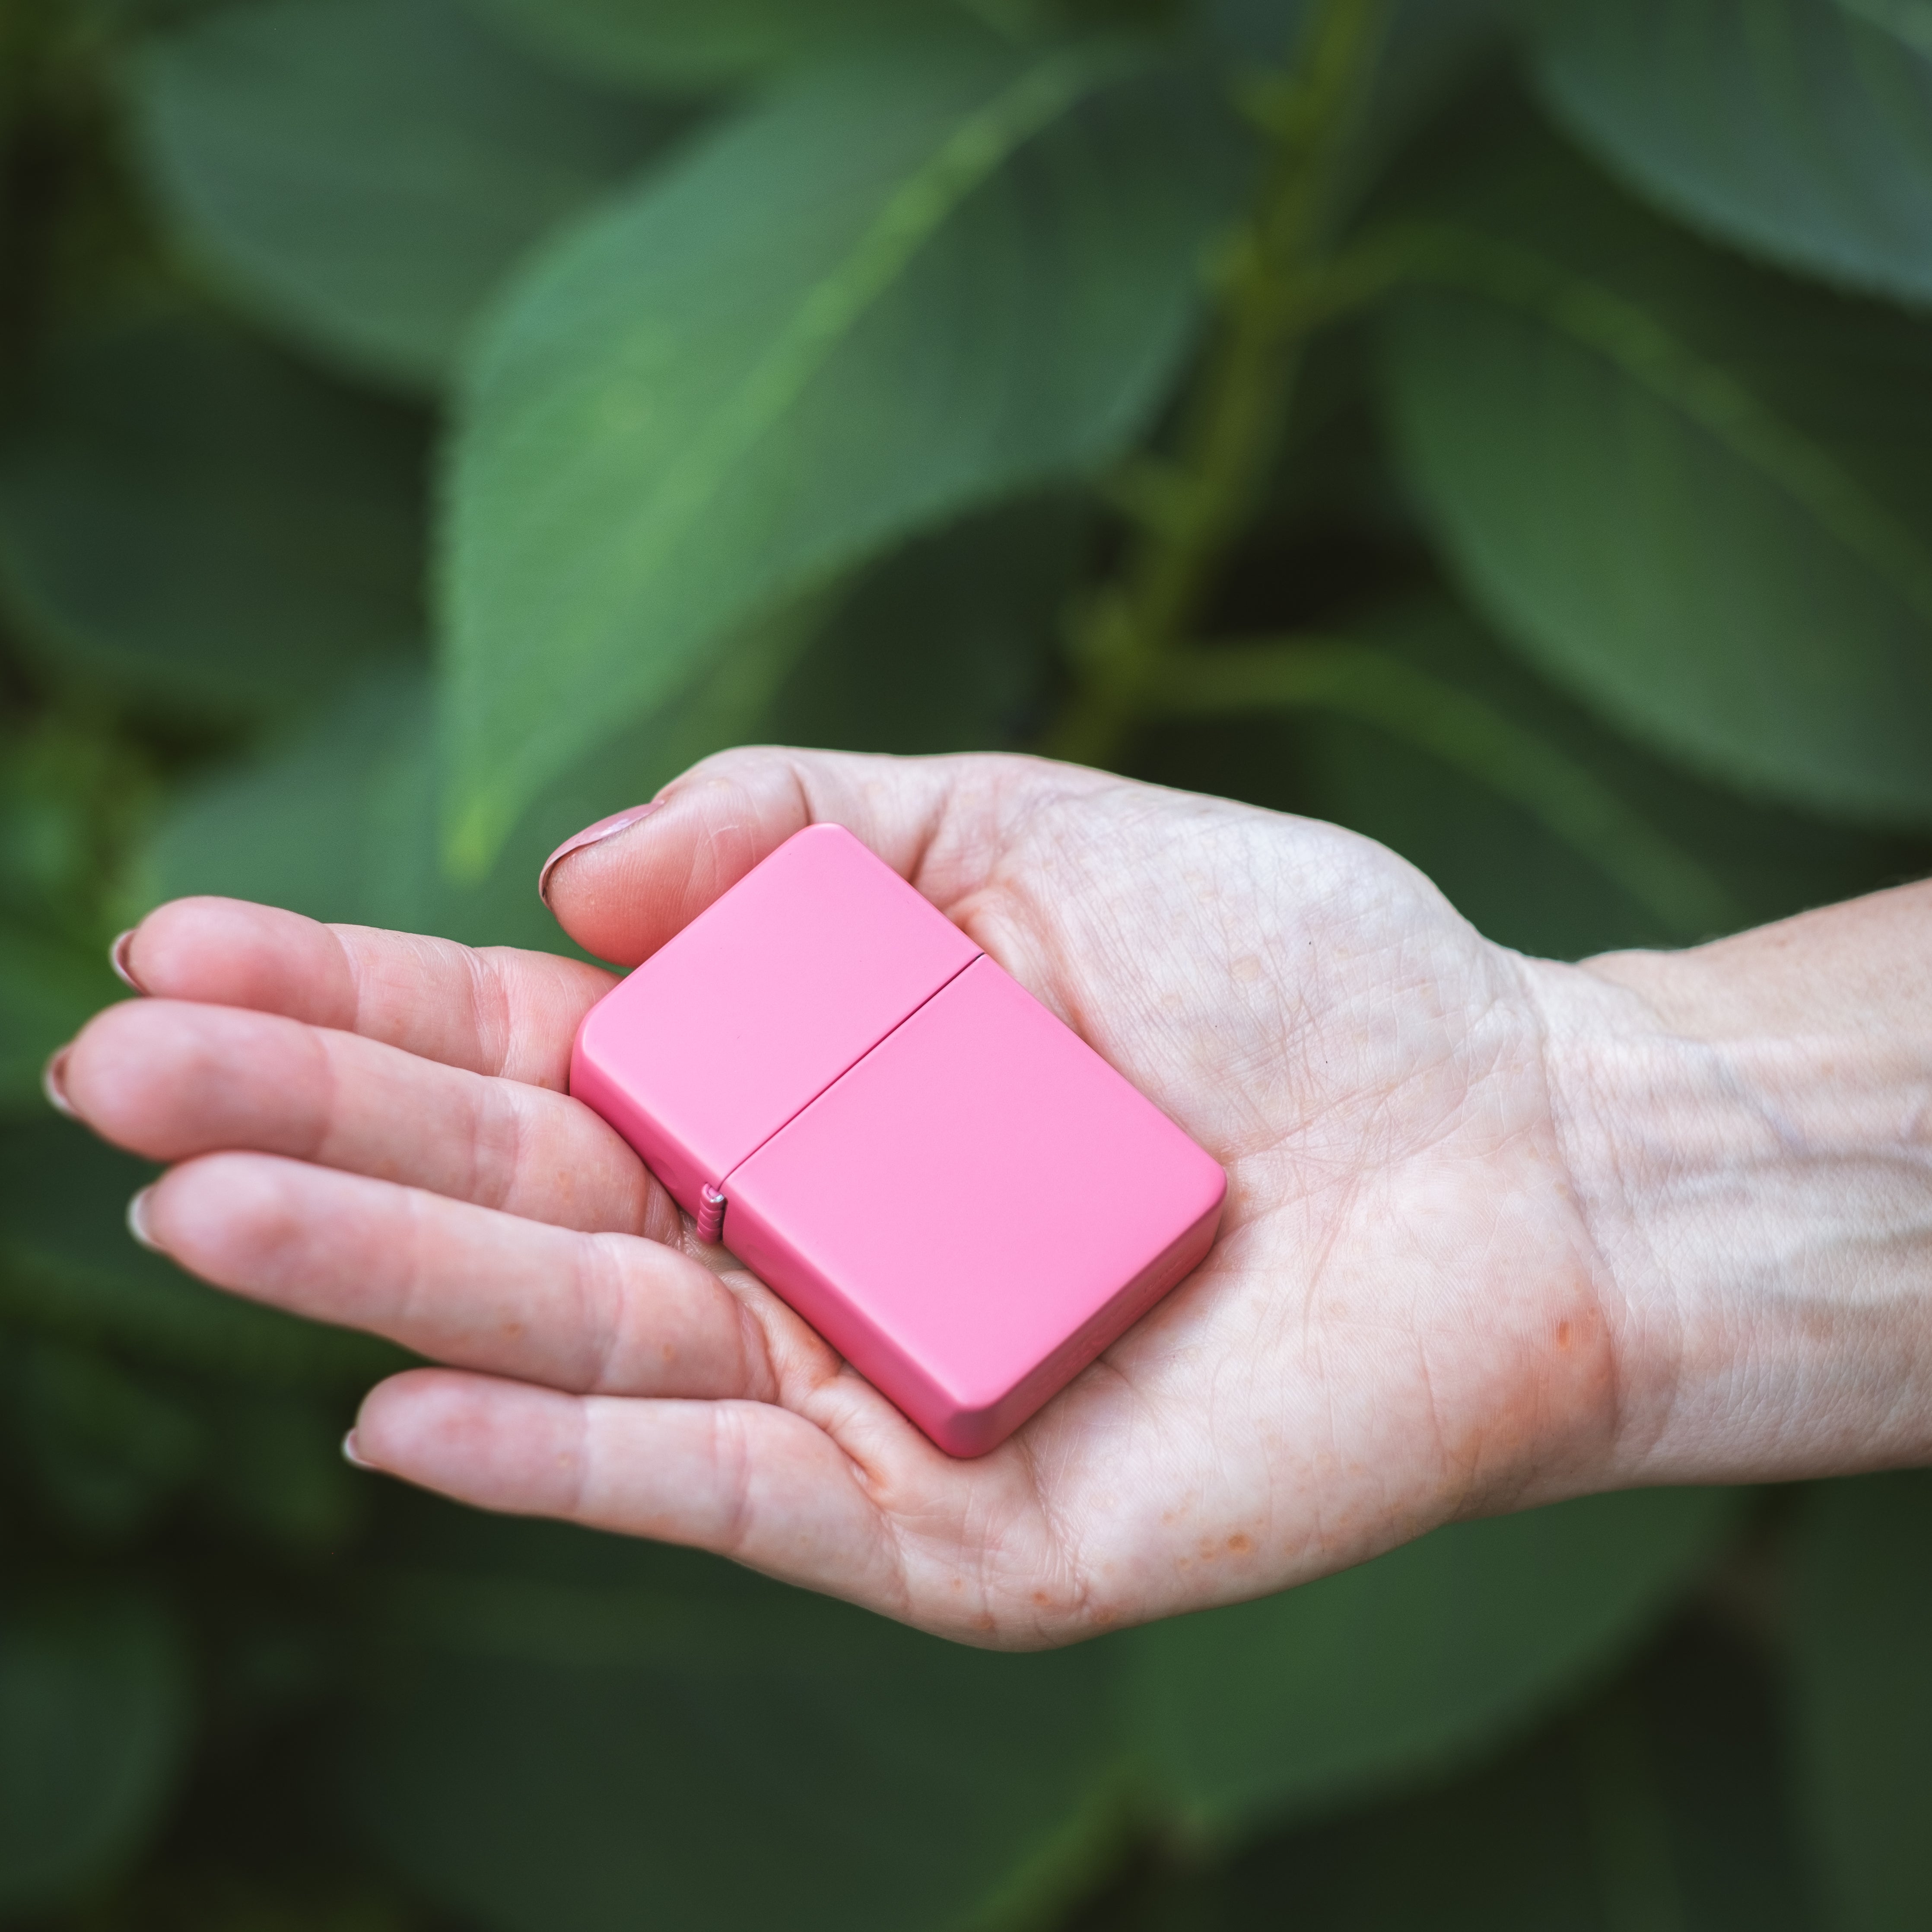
(1195, 507)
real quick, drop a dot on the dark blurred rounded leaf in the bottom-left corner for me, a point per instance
(94, 1734)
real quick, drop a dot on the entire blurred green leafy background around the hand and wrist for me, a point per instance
(430, 424)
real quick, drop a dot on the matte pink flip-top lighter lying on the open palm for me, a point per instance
(952, 1187)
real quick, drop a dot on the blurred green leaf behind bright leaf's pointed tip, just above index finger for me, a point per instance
(341, 822)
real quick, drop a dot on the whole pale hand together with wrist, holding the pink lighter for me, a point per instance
(1498, 1232)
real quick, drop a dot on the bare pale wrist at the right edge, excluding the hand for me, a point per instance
(1749, 1139)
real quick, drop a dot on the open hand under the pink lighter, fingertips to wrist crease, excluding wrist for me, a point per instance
(1404, 1319)
